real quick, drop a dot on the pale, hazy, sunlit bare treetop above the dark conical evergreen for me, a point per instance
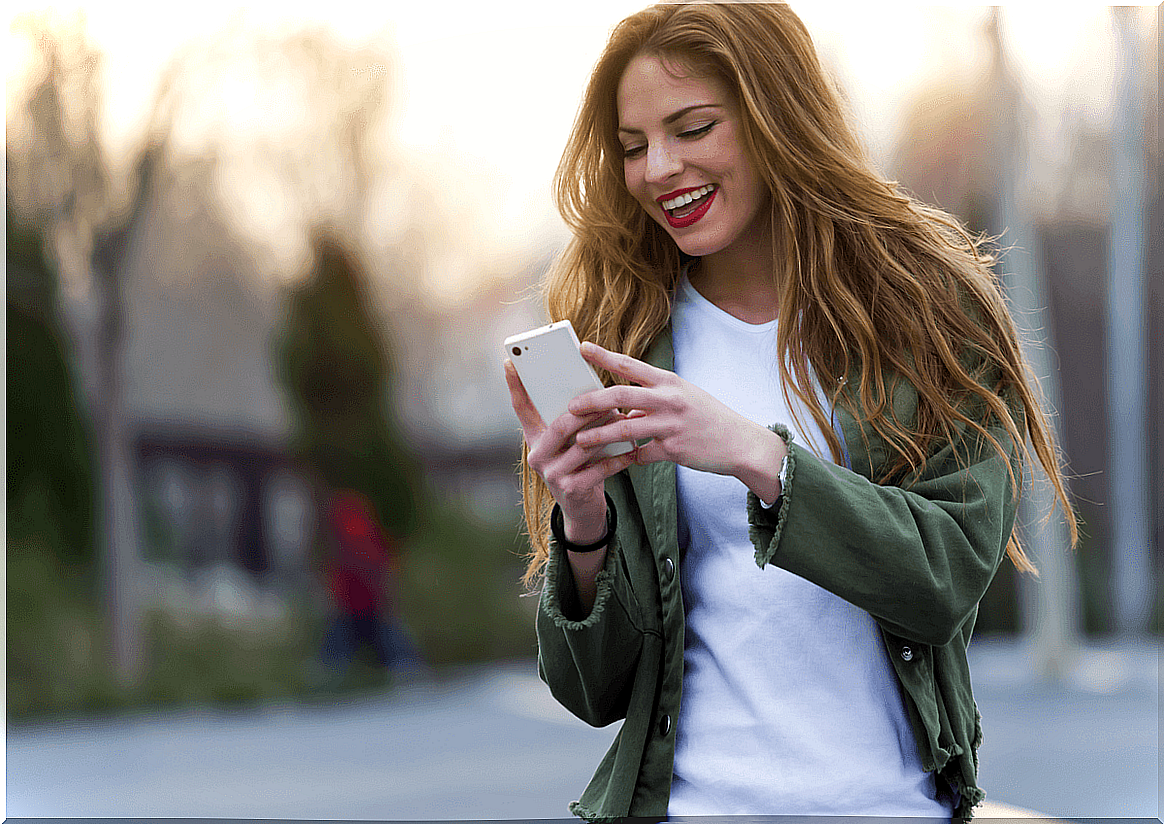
(300, 124)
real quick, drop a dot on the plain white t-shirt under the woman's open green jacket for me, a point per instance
(790, 705)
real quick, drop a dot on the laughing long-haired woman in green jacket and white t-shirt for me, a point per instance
(777, 588)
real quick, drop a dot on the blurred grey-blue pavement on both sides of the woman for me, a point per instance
(491, 743)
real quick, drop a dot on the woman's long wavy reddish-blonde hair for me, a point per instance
(868, 278)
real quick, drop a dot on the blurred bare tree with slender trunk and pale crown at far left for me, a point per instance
(60, 181)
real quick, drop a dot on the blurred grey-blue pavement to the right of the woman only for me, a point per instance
(1084, 749)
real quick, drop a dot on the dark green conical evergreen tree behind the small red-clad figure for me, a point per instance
(337, 372)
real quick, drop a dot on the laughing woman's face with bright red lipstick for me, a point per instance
(684, 158)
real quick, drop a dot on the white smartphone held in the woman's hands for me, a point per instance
(550, 363)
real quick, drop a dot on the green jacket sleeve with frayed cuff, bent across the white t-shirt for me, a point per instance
(918, 558)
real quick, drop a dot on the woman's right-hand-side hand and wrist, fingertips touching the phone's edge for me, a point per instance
(686, 425)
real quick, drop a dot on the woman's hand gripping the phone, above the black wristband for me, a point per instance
(573, 472)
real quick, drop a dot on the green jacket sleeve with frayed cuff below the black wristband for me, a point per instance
(588, 660)
